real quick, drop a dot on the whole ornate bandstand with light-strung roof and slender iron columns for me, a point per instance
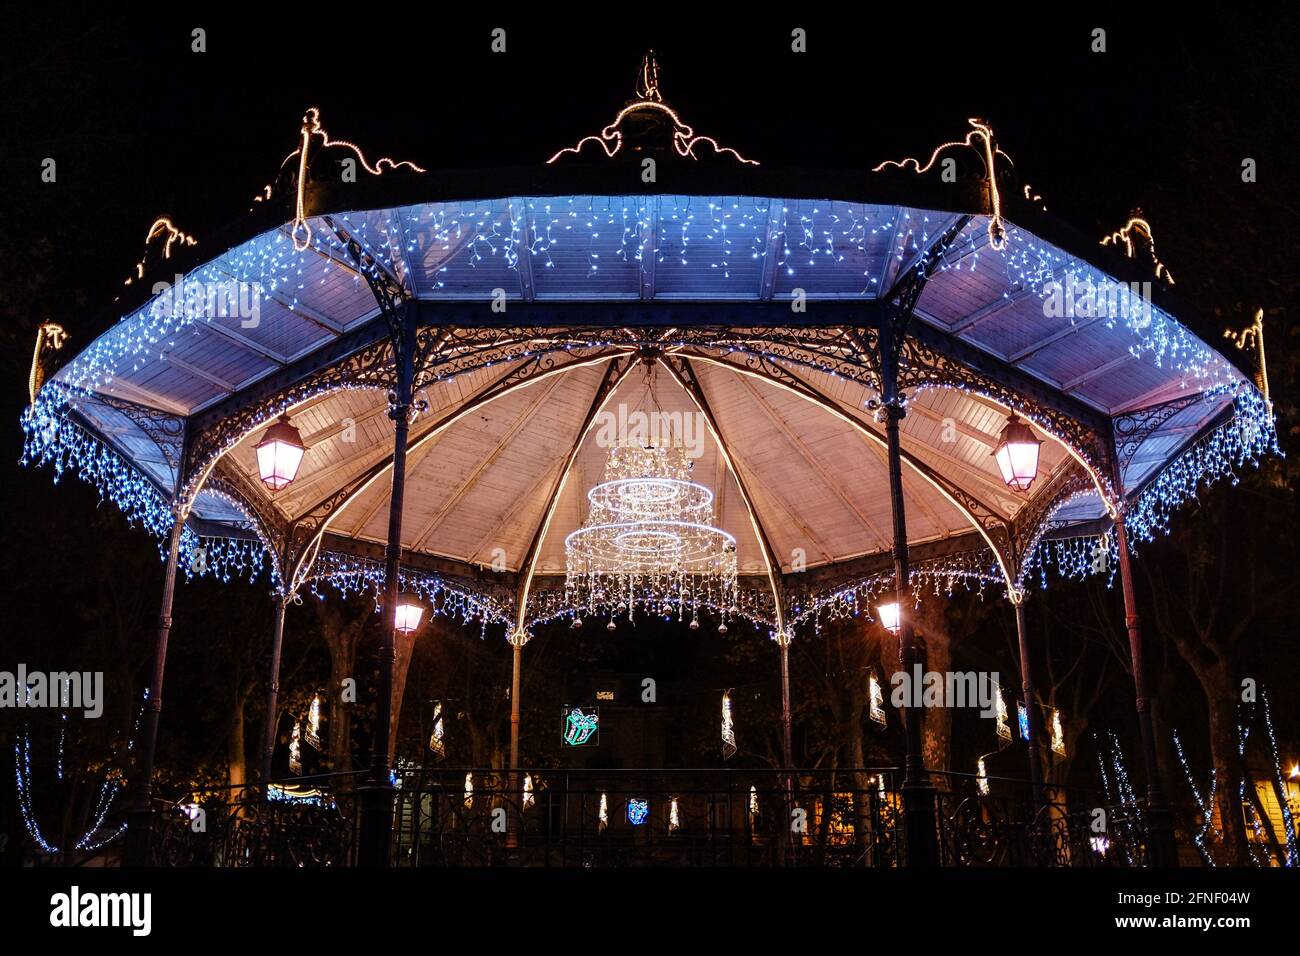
(447, 345)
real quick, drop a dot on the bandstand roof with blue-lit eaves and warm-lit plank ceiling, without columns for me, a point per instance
(748, 284)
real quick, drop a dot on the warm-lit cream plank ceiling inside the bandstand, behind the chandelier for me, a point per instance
(818, 486)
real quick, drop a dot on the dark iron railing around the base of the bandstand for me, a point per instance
(554, 817)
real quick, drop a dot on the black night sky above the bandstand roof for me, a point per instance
(140, 126)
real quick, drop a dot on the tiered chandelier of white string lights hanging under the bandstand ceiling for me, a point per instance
(649, 542)
